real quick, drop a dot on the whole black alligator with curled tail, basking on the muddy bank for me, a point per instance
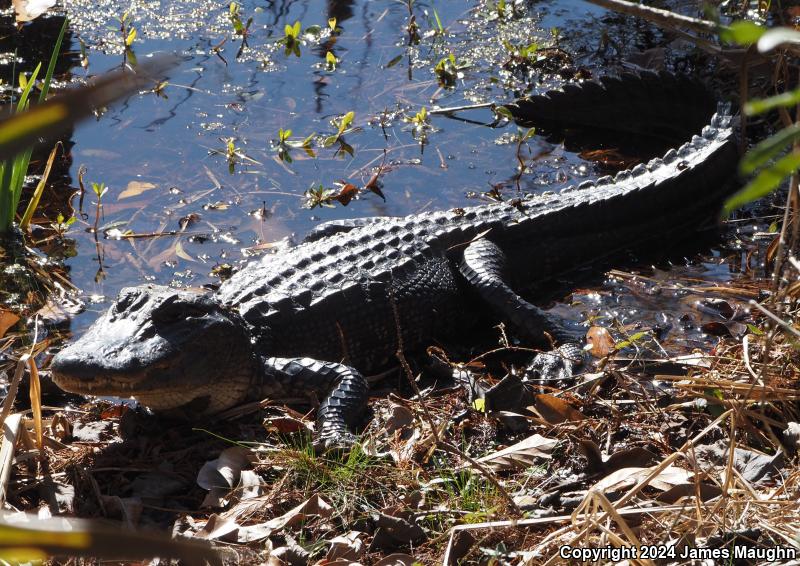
(344, 300)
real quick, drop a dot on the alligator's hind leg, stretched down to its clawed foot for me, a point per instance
(484, 268)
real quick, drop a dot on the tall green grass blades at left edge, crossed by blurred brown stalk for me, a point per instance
(13, 171)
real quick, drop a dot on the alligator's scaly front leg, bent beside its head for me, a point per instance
(343, 392)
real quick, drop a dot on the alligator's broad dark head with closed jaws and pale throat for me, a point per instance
(167, 348)
